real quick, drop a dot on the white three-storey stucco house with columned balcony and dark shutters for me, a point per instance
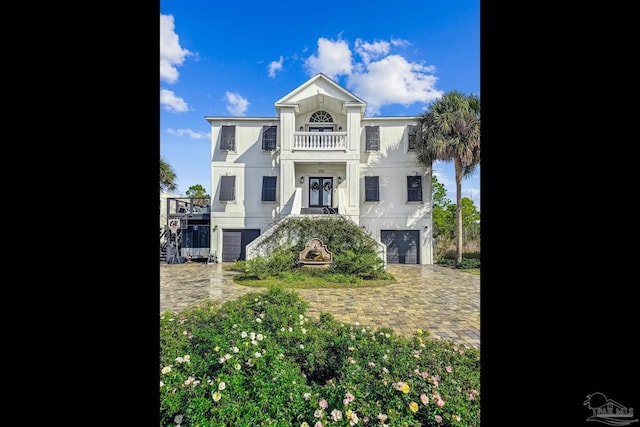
(319, 155)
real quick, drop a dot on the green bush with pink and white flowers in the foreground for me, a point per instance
(259, 360)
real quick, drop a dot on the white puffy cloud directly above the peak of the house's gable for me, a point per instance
(333, 58)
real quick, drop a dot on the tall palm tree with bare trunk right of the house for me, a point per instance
(450, 130)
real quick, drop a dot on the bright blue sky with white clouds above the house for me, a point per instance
(239, 58)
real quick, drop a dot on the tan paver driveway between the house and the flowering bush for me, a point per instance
(441, 300)
